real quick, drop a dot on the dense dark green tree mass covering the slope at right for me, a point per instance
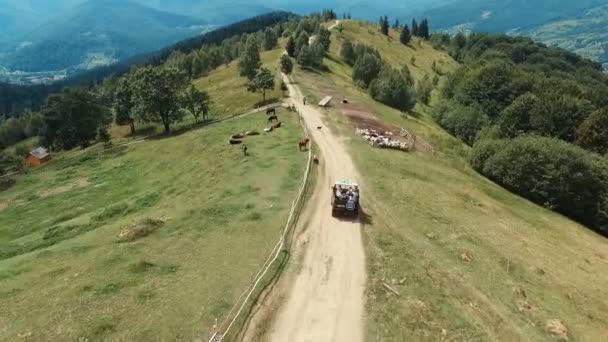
(537, 118)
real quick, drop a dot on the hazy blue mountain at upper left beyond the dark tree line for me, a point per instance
(99, 33)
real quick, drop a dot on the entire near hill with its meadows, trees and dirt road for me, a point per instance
(176, 206)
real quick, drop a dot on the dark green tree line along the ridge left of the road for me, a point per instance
(150, 93)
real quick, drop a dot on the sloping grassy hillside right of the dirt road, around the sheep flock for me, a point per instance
(470, 260)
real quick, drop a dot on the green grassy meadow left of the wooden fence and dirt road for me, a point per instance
(208, 218)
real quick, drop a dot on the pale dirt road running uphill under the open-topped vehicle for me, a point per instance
(326, 300)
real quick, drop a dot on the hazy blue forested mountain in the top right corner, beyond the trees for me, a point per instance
(578, 26)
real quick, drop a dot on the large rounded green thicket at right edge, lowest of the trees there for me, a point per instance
(549, 172)
